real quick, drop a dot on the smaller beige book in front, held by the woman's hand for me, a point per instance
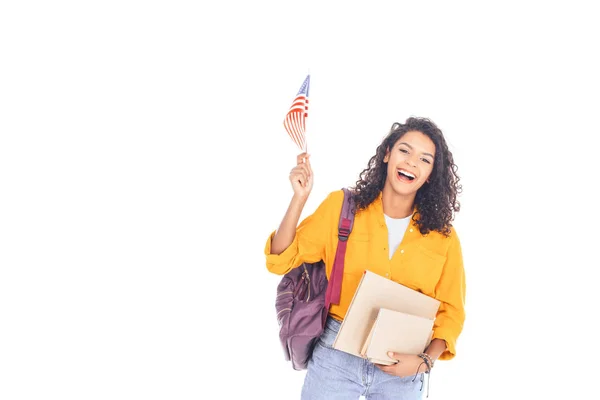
(398, 332)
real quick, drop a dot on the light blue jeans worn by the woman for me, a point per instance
(333, 374)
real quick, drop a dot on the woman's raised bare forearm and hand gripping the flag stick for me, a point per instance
(301, 178)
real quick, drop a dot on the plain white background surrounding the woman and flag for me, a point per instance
(143, 164)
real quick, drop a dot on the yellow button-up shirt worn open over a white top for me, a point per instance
(431, 264)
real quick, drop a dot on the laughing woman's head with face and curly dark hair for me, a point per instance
(417, 150)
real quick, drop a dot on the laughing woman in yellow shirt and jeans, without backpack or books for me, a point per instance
(405, 203)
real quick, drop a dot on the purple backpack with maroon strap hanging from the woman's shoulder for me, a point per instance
(304, 296)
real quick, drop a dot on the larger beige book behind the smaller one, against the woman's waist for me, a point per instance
(373, 293)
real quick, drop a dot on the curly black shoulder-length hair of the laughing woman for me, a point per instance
(435, 201)
